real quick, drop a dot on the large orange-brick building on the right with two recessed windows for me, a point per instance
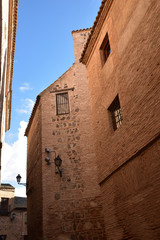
(122, 56)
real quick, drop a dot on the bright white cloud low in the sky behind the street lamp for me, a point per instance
(14, 158)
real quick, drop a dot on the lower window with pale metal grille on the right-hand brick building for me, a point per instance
(116, 113)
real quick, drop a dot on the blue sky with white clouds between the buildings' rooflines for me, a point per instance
(44, 51)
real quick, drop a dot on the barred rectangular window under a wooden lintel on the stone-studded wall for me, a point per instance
(62, 103)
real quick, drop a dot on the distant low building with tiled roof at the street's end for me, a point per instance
(13, 214)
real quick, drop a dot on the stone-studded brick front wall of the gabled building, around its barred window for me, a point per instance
(71, 203)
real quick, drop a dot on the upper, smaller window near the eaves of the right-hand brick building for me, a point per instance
(105, 49)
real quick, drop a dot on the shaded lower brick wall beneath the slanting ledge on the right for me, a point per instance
(132, 196)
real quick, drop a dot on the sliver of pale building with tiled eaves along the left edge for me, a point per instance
(8, 26)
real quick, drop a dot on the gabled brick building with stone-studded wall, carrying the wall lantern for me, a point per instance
(63, 207)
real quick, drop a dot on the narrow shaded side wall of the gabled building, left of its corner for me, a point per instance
(34, 178)
